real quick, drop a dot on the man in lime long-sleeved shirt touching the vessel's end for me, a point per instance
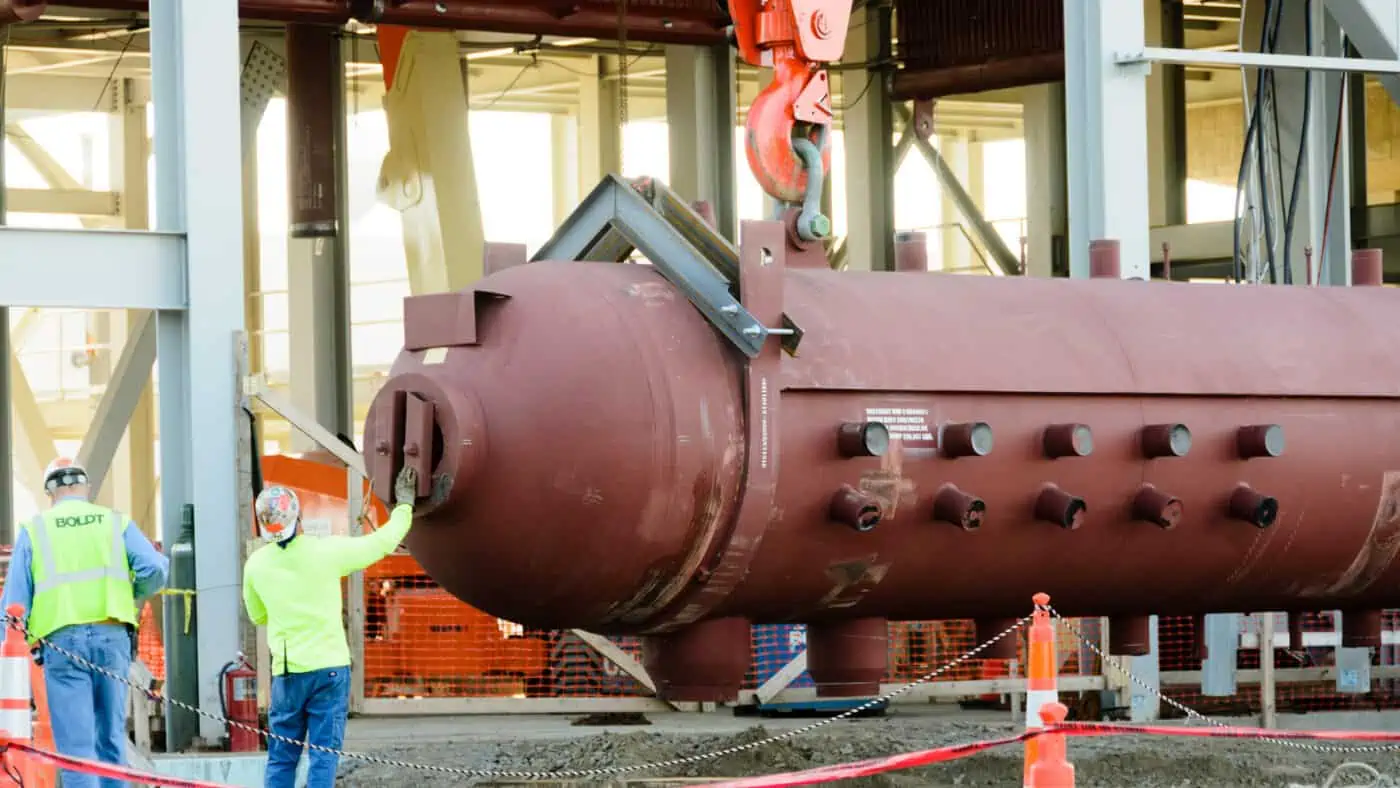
(293, 587)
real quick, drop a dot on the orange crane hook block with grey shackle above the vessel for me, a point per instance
(790, 122)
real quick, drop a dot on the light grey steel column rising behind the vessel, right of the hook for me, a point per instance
(1107, 134)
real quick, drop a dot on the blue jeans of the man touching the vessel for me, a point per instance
(307, 708)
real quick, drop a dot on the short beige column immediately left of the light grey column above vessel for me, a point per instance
(1046, 194)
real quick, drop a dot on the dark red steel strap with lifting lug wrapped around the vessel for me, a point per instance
(762, 250)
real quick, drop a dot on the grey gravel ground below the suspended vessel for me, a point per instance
(1100, 764)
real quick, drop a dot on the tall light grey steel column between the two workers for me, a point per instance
(195, 75)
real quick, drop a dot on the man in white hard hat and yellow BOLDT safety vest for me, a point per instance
(82, 573)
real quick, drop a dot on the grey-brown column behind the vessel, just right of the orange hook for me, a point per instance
(870, 143)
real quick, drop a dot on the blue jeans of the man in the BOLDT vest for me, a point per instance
(87, 710)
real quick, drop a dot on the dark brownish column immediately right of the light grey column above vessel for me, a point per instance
(1165, 117)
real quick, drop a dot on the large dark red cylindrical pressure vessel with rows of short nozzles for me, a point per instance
(947, 447)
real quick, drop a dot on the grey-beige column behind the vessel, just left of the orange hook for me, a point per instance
(702, 113)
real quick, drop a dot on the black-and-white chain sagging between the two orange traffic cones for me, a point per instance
(608, 772)
